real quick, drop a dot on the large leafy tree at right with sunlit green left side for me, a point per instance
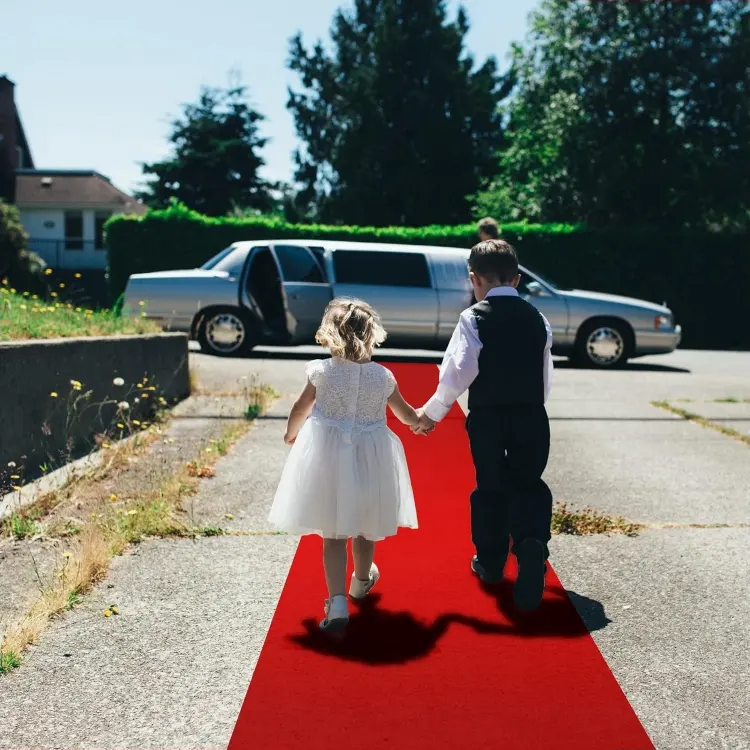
(629, 113)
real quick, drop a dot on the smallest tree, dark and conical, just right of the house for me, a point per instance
(214, 164)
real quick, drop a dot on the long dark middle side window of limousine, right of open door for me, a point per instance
(381, 268)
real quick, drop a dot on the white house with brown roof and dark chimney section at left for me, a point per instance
(62, 210)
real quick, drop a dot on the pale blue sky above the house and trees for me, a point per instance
(97, 82)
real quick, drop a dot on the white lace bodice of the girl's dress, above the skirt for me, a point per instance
(351, 396)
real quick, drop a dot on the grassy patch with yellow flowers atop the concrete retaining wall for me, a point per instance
(25, 316)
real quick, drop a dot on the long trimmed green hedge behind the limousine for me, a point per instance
(703, 277)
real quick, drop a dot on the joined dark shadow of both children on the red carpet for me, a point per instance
(381, 636)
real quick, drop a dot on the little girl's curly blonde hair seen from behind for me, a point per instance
(351, 329)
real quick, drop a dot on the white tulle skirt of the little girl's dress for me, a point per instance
(339, 484)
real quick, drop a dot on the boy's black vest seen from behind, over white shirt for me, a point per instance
(511, 362)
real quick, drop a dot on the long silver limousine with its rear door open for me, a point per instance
(274, 293)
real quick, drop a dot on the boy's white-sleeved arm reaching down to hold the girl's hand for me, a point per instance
(459, 369)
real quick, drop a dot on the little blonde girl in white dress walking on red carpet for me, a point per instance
(346, 475)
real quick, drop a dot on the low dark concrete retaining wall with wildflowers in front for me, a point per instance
(37, 429)
